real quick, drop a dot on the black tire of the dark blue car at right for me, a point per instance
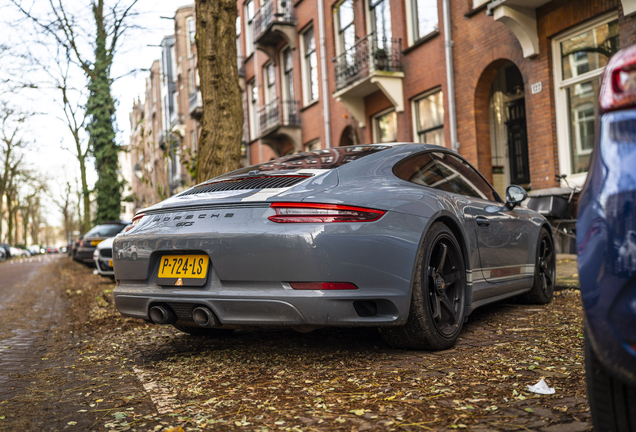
(612, 402)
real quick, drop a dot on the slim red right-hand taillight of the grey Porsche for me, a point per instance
(322, 213)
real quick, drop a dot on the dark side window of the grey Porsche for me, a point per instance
(463, 178)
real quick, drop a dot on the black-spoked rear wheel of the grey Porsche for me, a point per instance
(438, 298)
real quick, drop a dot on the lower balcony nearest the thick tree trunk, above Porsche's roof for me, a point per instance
(280, 120)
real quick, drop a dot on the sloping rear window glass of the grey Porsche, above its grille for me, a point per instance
(319, 159)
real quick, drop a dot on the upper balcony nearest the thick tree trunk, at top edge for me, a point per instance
(274, 21)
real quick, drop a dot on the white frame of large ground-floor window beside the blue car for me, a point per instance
(563, 142)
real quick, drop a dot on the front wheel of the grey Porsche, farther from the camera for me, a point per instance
(542, 289)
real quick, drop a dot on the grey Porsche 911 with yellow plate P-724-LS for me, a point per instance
(407, 238)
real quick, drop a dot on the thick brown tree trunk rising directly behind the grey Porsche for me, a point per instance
(222, 122)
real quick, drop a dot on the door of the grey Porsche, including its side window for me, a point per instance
(503, 235)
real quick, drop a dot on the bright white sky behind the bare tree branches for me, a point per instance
(46, 132)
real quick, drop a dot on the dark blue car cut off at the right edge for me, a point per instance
(606, 240)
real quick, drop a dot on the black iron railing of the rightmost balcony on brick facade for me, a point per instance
(368, 54)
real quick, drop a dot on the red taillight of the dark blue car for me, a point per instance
(618, 89)
